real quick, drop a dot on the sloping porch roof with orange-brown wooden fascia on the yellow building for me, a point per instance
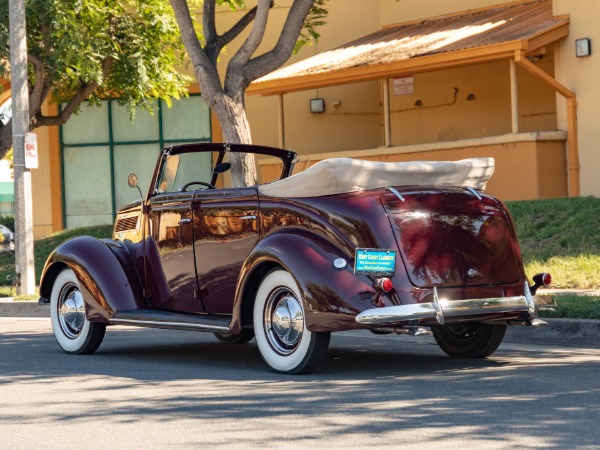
(462, 39)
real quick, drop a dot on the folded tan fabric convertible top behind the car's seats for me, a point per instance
(339, 175)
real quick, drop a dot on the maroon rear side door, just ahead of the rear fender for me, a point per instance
(225, 231)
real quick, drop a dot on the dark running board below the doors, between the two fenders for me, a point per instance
(155, 318)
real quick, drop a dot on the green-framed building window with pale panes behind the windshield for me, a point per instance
(100, 147)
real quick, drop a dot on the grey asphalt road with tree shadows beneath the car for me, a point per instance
(165, 389)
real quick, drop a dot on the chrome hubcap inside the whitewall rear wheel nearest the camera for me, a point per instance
(284, 321)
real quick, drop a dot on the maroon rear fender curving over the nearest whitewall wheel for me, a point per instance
(332, 297)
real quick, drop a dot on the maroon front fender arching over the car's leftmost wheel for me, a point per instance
(106, 275)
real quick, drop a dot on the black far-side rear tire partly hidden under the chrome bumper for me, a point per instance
(469, 340)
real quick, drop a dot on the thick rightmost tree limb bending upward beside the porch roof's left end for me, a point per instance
(268, 62)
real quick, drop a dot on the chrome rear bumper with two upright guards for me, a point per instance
(441, 309)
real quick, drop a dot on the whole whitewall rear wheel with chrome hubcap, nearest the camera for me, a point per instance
(285, 343)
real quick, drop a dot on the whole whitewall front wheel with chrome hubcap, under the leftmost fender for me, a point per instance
(73, 331)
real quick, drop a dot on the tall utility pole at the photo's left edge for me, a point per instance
(20, 125)
